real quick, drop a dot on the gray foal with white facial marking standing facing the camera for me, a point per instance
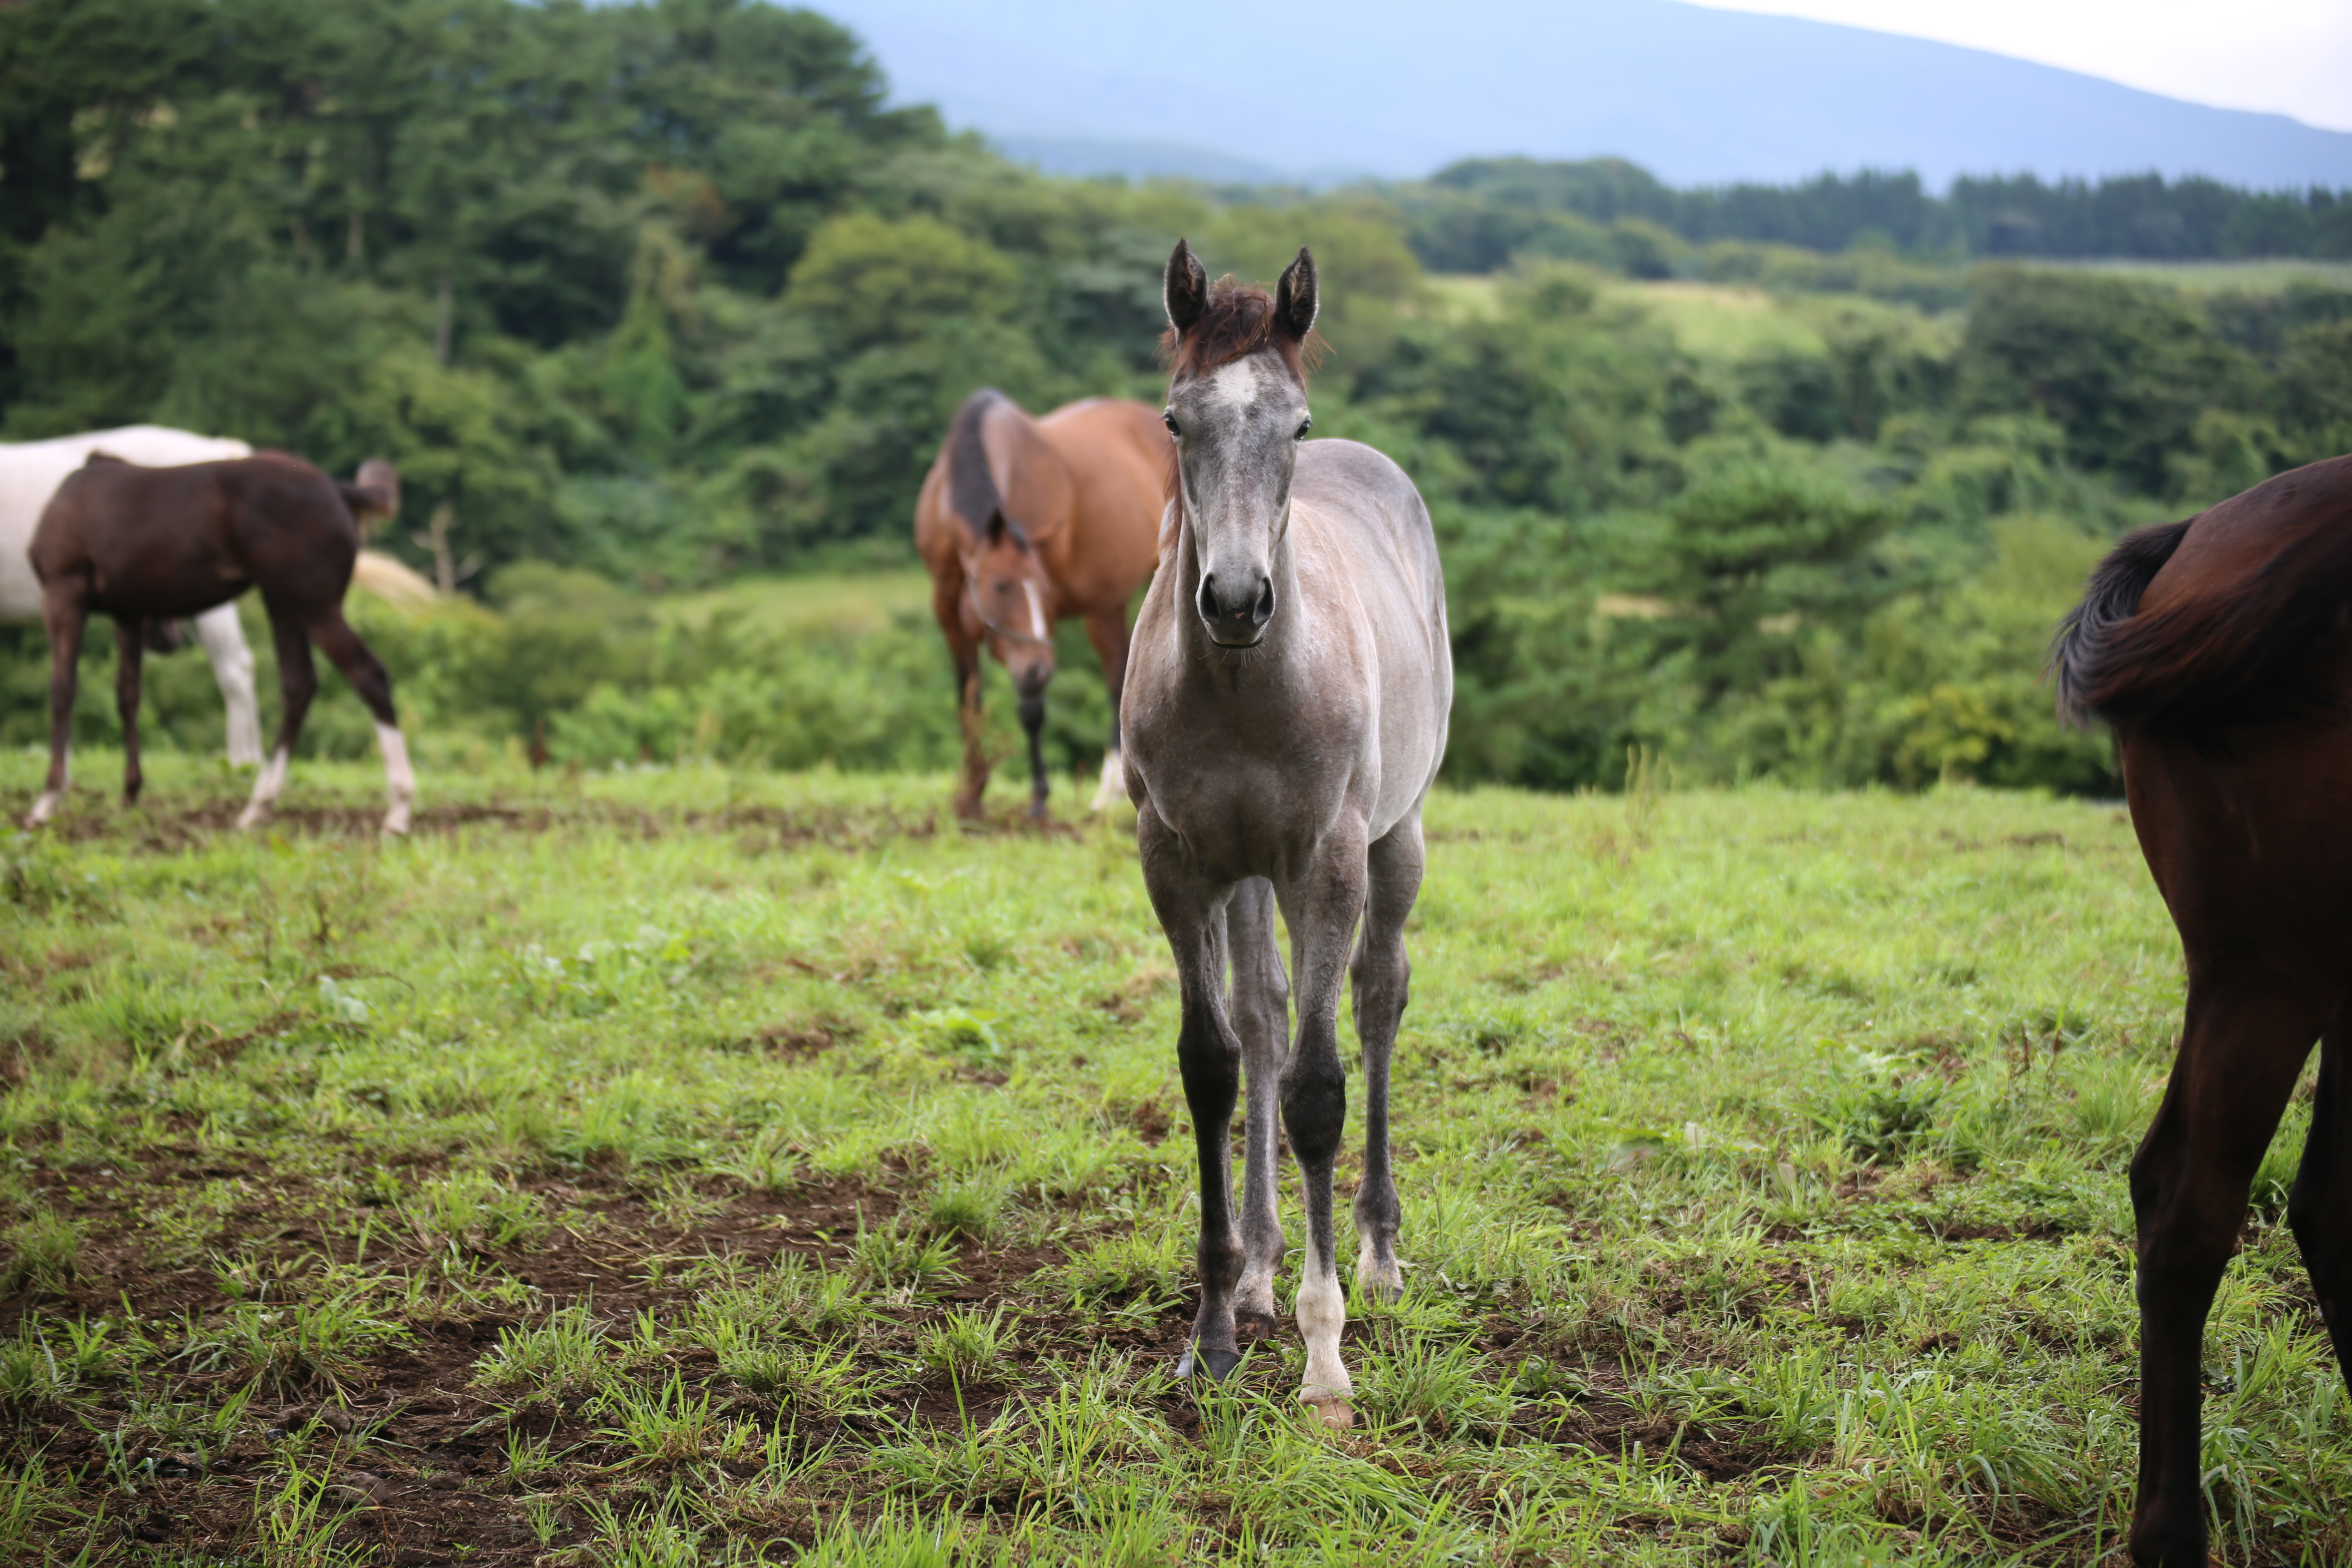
(1283, 718)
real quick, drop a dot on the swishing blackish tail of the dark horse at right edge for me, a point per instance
(2207, 659)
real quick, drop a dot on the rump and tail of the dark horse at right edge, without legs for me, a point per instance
(2231, 617)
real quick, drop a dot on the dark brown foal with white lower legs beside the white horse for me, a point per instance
(159, 544)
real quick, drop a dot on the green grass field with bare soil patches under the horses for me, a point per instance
(695, 1167)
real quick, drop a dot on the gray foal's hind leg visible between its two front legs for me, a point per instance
(1262, 1017)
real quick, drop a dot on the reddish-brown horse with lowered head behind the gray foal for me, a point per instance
(1027, 523)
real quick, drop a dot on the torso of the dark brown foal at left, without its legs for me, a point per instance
(161, 542)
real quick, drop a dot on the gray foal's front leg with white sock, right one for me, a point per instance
(1323, 911)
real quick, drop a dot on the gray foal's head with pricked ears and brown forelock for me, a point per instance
(1238, 410)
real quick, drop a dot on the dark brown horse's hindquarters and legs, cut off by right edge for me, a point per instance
(2221, 652)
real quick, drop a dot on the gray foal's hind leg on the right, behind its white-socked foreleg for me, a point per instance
(1382, 981)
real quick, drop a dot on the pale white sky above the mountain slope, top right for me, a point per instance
(2290, 58)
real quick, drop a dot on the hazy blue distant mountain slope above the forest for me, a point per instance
(1323, 91)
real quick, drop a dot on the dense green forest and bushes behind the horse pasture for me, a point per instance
(657, 300)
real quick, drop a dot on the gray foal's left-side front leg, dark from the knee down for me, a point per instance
(1210, 1057)
